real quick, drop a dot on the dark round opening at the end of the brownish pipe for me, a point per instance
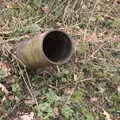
(57, 46)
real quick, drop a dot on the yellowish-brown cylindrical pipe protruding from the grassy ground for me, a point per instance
(54, 47)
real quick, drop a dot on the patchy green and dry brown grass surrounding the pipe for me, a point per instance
(84, 89)
